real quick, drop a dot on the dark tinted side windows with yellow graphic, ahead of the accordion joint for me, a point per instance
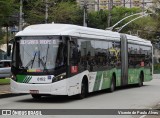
(97, 55)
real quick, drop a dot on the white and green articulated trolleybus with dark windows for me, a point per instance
(63, 59)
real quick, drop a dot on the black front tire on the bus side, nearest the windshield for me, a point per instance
(84, 90)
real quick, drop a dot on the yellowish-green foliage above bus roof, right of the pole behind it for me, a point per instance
(66, 12)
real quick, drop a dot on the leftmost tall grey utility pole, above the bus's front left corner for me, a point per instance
(20, 15)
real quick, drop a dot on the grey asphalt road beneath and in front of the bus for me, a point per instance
(123, 98)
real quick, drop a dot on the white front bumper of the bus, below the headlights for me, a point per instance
(57, 88)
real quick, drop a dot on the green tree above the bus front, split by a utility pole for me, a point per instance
(61, 12)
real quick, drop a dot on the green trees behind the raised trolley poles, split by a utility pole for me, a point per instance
(99, 19)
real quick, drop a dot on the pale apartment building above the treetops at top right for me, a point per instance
(107, 4)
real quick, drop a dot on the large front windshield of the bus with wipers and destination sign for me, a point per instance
(39, 54)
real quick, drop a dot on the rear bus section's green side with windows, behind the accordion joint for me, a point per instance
(139, 60)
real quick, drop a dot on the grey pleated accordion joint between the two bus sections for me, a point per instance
(124, 60)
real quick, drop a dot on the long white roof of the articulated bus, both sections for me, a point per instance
(76, 31)
